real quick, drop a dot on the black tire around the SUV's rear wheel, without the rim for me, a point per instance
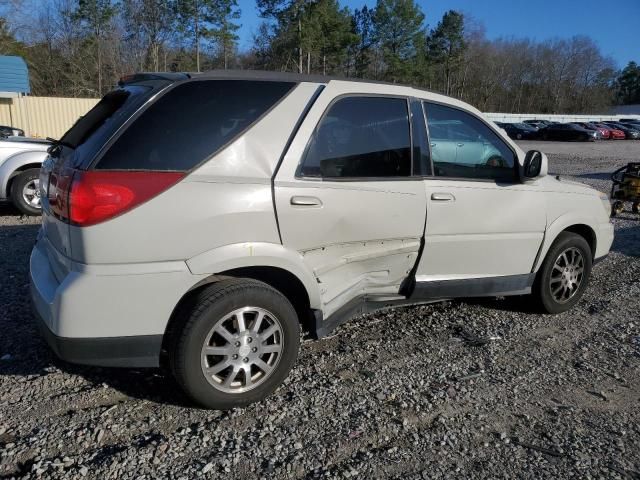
(209, 306)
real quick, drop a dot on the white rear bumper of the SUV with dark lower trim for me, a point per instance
(108, 315)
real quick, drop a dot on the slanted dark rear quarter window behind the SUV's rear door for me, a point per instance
(190, 123)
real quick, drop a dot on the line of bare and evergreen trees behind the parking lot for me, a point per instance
(80, 48)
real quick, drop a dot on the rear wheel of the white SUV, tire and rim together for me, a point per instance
(239, 340)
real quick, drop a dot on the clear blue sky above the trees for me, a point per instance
(614, 25)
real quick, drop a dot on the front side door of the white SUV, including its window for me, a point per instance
(482, 222)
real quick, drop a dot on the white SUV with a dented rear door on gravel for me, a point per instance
(197, 221)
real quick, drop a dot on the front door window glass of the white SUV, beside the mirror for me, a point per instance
(462, 146)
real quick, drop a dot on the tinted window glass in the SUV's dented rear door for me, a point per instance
(361, 137)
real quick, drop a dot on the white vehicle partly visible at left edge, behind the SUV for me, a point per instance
(20, 161)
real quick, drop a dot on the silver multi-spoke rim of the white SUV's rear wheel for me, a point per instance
(242, 350)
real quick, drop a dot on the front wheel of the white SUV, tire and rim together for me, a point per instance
(564, 274)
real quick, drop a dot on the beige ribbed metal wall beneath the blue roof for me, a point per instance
(43, 116)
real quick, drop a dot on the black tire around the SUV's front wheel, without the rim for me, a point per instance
(541, 293)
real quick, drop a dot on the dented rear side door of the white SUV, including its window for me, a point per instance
(346, 198)
